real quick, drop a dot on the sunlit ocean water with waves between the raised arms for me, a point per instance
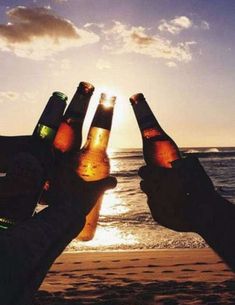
(125, 221)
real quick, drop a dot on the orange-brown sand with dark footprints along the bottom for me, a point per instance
(178, 276)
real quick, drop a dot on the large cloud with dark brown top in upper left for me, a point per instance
(38, 32)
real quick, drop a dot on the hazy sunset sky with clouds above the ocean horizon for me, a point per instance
(178, 53)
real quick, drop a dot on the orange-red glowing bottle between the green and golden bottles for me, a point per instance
(69, 135)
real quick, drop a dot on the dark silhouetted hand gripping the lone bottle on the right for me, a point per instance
(181, 197)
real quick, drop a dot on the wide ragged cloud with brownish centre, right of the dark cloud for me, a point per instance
(122, 38)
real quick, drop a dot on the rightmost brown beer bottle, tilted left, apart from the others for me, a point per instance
(158, 148)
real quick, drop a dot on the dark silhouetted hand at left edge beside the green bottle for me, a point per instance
(21, 158)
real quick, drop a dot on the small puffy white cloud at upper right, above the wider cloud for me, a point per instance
(176, 25)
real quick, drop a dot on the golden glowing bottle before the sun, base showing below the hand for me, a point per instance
(93, 162)
